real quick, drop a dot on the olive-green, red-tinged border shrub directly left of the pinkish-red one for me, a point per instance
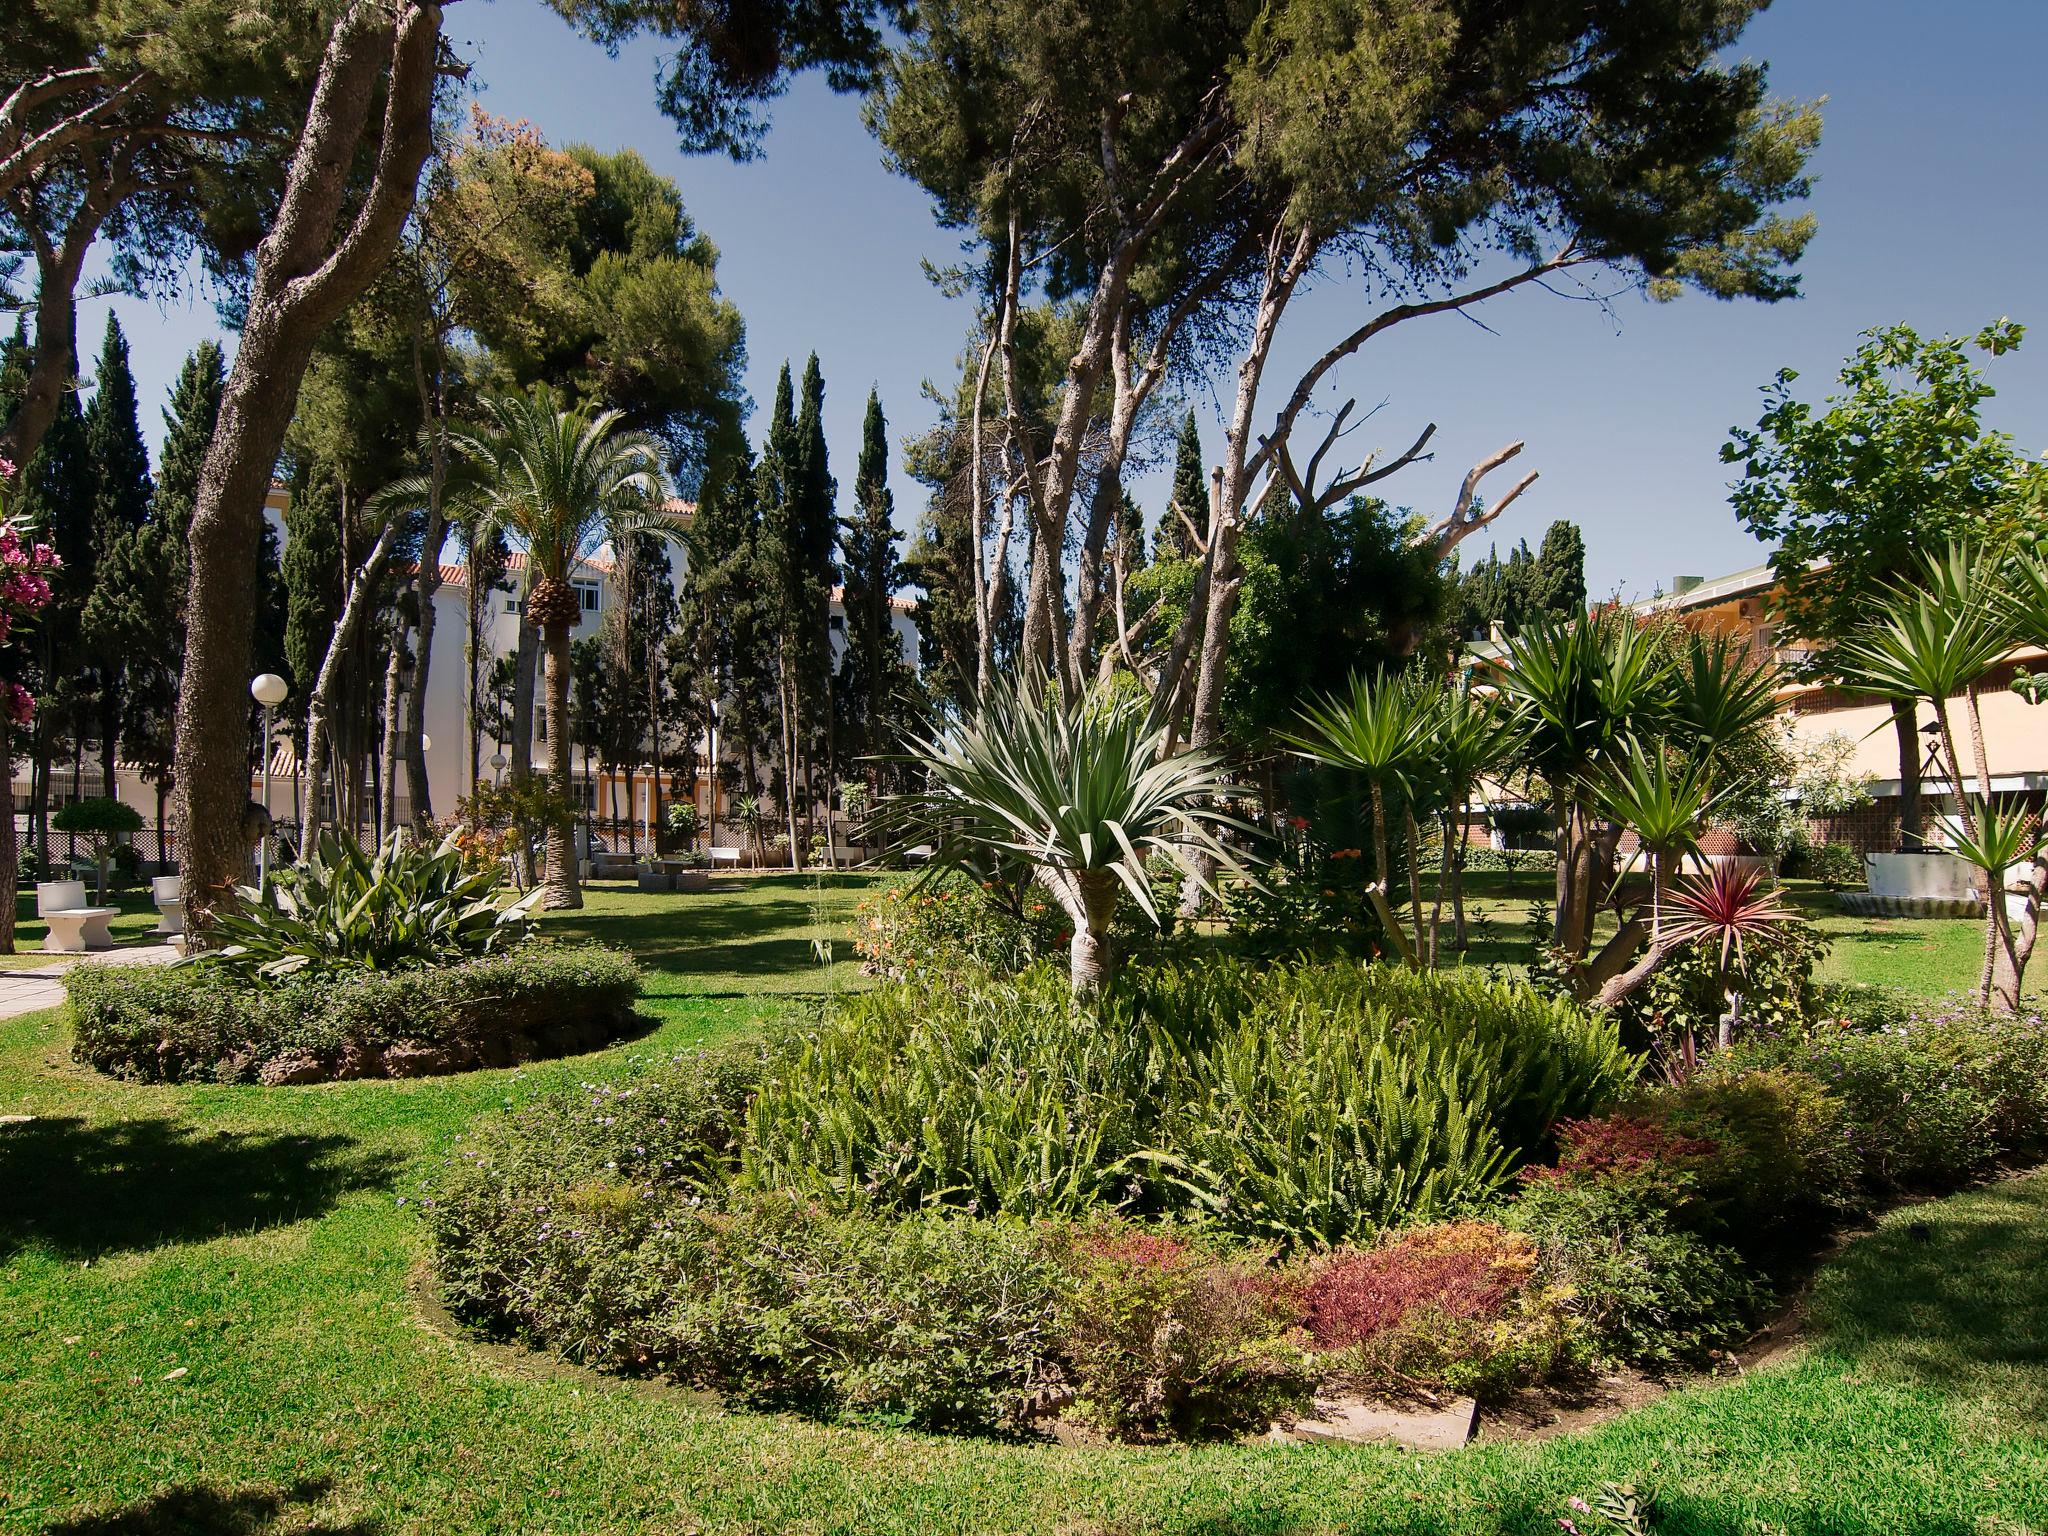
(1172, 1336)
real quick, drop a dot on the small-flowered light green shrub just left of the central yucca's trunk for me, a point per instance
(951, 925)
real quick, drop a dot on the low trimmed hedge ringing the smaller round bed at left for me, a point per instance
(169, 1025)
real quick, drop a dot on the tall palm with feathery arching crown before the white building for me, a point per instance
(560, 484)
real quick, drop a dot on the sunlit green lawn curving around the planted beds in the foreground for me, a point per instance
(210, 1322)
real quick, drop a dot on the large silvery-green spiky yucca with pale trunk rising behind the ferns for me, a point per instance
(1078, 792)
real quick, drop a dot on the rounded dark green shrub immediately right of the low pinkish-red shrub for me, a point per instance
(1644, 1291)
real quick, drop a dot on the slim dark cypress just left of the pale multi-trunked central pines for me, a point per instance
(871, 579)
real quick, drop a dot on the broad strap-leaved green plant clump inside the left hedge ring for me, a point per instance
(345, 910)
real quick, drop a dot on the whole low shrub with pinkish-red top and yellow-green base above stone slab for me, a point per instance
(1443, 1308)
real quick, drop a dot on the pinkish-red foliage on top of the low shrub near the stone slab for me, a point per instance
(1463, 1271)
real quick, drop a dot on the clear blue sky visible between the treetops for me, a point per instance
(1932, 204)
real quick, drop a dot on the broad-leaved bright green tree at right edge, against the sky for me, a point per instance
(1893, 468)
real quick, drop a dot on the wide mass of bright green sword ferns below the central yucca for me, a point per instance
(1304, 1105)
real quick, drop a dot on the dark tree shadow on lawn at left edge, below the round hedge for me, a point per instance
(85, 1191)
